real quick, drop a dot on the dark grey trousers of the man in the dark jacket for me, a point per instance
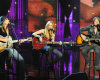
(96, 48)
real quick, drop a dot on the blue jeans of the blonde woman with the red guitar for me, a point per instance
(55, 51)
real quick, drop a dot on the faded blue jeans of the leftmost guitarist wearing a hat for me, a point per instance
(12, 53)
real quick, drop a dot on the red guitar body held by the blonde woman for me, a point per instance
(37, 44)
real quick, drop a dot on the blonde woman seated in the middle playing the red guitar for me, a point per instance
(47, 33)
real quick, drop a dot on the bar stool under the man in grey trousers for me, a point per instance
(90, 59)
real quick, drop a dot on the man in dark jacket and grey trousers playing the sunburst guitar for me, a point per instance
(94, 32)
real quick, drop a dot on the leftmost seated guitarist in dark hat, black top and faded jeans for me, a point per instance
(5, 33)
